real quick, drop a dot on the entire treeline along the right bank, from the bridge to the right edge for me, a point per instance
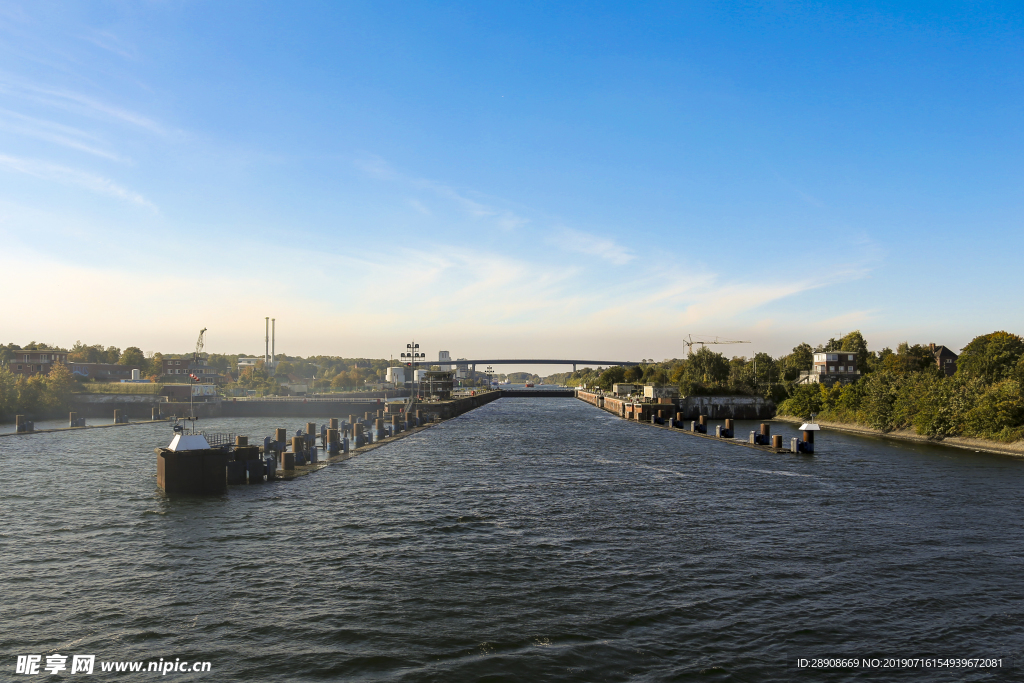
(897, 390)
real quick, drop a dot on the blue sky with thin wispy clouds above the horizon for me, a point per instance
(530, 180)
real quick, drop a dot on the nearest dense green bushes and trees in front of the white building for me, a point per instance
(907, 390)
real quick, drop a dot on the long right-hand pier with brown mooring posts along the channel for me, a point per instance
(664, 414)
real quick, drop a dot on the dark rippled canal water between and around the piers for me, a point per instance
(530, 540)
